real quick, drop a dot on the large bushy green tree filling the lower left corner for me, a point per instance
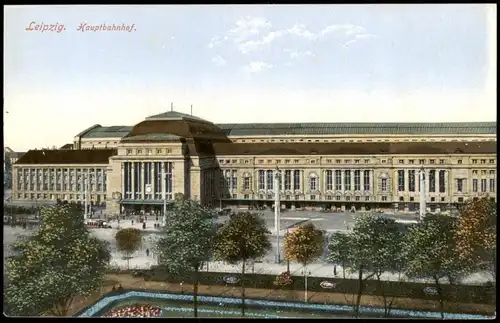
(60, 261)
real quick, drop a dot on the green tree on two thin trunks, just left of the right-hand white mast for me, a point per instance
(376, 248)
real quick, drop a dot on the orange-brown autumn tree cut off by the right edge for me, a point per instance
(476, 234)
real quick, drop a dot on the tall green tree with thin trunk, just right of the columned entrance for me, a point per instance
(188, 240)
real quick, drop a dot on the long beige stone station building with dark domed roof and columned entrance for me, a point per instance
(329, 165)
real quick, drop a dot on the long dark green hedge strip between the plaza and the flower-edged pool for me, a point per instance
(485, 294)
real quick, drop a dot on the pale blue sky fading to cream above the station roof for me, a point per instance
(244, 64)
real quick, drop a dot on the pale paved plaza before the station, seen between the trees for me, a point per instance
(326, 221)
